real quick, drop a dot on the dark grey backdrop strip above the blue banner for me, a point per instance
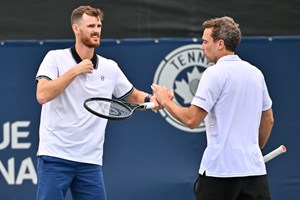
(34, 19)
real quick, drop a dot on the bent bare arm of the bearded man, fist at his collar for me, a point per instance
(50, 89)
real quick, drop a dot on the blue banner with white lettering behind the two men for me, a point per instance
(151, 155)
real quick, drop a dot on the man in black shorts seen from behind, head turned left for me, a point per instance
(233, 100)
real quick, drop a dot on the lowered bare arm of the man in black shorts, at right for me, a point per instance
(266, 125)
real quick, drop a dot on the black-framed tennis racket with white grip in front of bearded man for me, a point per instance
(114, 109)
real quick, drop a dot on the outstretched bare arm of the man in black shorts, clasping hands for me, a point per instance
(190, 116)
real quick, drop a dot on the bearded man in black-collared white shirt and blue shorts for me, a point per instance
(71, 139)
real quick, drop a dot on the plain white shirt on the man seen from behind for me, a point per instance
(234, 94)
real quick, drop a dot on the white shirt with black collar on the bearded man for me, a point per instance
(67, 129)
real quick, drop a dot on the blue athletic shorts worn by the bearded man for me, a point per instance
(56, 176)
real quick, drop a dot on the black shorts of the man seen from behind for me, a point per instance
(237, 188)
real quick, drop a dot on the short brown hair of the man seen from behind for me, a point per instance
(224, 28)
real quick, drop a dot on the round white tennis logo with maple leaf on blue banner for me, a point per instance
(181, 70)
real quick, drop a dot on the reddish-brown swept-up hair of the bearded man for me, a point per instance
(78, 13)
